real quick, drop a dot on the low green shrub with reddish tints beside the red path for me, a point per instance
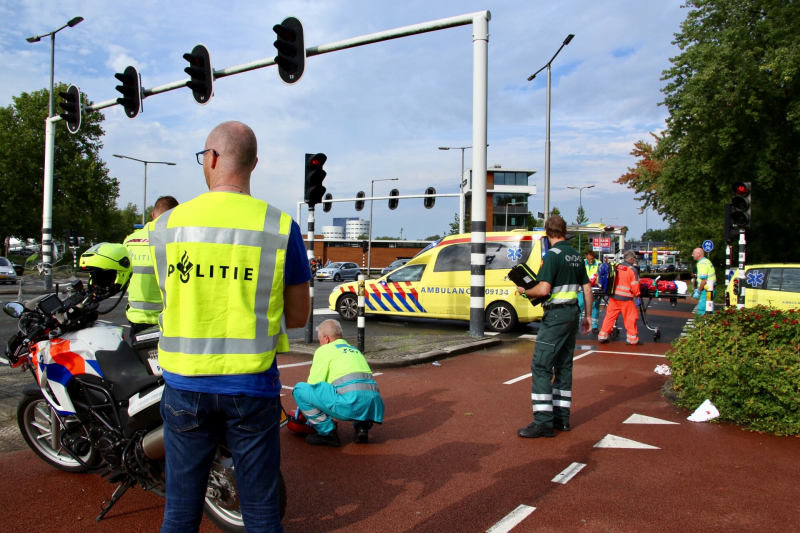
(747, 362)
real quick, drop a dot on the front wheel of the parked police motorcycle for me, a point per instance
(41, 430)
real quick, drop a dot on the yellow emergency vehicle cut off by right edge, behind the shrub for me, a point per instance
(774, 285)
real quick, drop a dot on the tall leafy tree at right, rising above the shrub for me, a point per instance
(733, 95)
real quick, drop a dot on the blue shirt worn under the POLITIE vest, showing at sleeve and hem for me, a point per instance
(266, 384)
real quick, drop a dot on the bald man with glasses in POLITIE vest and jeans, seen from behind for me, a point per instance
(226, 265)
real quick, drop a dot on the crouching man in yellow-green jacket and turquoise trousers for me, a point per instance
(340, 386)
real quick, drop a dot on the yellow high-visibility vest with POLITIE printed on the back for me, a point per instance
(220, 262)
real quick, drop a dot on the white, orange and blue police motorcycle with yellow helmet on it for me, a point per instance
(94, 405)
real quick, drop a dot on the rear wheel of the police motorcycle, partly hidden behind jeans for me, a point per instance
(222, 503)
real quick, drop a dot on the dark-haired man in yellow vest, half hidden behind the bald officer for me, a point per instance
(144, 298)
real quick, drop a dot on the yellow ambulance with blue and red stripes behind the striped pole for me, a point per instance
(436, 282)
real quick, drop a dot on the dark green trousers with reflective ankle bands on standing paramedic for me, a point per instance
(551, 390)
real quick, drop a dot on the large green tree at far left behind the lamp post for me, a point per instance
(83, 192)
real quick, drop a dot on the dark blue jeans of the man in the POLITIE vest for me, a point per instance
(194, 425)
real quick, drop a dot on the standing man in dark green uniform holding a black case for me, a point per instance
(561, 278)
